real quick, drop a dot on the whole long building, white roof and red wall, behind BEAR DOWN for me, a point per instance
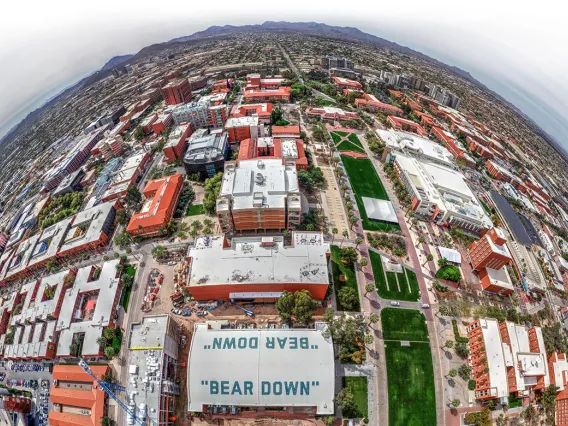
(257, 268)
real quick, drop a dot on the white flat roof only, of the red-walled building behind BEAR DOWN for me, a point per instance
(248, 261)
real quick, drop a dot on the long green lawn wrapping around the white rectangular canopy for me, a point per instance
(366, 183)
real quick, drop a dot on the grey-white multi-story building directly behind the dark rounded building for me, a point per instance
(201, 114)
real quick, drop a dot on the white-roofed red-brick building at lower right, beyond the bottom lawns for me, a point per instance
(506, 358)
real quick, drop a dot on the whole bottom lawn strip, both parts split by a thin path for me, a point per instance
(410, 374)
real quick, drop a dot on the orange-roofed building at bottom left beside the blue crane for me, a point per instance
(77, 399)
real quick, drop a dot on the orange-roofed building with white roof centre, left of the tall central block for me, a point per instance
(162, 196)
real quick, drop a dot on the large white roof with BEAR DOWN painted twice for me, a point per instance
(261, 367)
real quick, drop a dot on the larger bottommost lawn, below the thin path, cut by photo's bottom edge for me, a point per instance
(411, 392)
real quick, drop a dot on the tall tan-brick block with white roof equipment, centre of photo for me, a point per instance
(260, 194)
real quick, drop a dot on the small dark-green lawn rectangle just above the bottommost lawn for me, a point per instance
(404, 324)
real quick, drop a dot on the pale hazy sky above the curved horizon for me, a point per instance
(516, 48)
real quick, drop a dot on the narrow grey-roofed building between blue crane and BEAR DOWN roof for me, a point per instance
(153, 347)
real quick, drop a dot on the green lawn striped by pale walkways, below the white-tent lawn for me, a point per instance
(393, 286)
